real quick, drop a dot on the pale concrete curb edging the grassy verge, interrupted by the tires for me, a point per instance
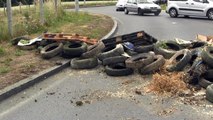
(28, 82)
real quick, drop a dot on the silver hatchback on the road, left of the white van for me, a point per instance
(141, 7)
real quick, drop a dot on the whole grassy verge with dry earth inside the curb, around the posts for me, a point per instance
(17, 64)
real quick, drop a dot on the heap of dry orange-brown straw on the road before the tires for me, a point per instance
(171, 83)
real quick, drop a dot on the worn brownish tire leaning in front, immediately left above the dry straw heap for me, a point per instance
(158, 62)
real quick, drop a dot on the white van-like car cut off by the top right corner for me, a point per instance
(190, 8)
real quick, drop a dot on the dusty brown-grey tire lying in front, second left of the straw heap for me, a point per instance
(140, 60)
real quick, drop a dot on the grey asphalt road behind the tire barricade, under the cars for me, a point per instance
(162, 26)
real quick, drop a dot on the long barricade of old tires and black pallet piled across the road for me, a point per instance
(123, 55)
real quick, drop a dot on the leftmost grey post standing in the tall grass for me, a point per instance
(9, 18)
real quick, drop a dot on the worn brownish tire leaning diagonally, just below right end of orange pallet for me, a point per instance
(94, 50)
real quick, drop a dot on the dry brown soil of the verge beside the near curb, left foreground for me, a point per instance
(20, 67)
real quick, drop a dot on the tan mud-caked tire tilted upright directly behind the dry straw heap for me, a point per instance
(178, 65)
